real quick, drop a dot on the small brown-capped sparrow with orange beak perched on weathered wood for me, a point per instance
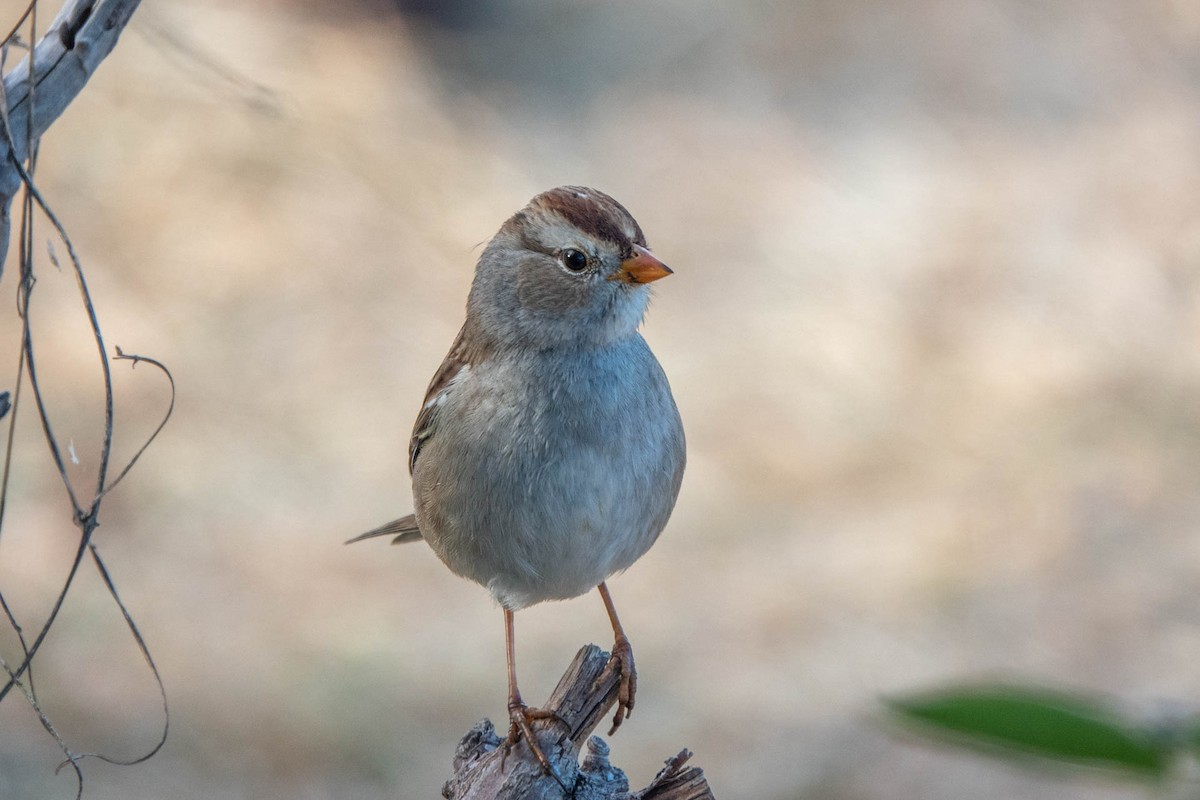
(549, 452)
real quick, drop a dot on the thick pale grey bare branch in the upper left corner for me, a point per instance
(44, 85)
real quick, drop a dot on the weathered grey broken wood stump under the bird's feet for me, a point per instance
(484, 772)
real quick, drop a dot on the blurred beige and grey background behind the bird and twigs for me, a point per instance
(933, 332)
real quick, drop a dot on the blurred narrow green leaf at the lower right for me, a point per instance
(1037, 721)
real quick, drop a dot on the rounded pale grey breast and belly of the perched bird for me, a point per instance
(538, 510)
